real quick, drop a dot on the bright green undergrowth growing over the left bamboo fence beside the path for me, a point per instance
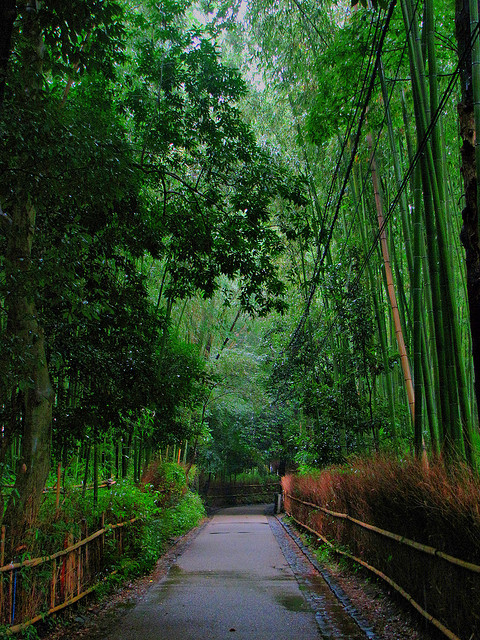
(158, 523)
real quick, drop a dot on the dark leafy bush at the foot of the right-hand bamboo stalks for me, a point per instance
(332, 411)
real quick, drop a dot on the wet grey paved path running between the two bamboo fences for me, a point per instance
(231, 582)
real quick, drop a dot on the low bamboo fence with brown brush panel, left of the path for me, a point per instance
(61, 578)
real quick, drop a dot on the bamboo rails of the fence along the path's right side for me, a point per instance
(436, 554)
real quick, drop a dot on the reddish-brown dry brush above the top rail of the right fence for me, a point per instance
(430, 503)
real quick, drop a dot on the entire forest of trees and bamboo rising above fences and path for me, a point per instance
(303, 221)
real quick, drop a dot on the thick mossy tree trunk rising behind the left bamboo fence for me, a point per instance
(30, 363)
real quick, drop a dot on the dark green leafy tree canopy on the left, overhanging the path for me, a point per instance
(157, 167)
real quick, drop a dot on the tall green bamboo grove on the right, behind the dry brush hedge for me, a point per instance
(383, 319)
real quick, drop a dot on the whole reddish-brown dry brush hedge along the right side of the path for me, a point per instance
(428, 505)
